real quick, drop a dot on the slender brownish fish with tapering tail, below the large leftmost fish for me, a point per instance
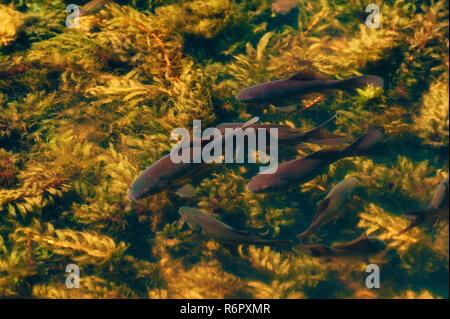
(213, 228)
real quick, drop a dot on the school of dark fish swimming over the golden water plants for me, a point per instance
(285, 95)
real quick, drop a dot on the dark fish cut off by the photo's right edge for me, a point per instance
(437, 209)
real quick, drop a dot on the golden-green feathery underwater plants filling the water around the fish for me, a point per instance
(83, 111)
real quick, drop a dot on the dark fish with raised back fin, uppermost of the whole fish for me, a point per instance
(285, 94)
